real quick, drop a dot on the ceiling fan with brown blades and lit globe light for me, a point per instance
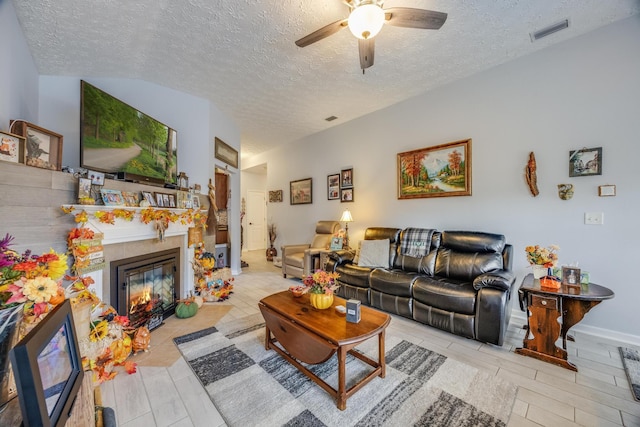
(366, 19)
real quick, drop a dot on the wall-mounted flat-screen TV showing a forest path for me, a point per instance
(118, 138)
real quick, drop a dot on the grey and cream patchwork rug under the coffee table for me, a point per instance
(252, 386)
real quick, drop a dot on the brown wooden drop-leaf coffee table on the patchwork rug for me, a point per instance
(312, 336)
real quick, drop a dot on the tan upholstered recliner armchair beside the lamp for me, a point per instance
(302, 259)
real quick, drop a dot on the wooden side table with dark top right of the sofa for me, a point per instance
(545, 307)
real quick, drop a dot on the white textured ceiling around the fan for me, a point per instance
(240, 54)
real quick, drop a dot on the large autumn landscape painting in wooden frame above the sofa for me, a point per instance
(439, 171)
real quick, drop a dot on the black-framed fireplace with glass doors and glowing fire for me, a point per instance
(145, 287)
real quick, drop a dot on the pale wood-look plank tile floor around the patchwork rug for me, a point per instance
(598, 395)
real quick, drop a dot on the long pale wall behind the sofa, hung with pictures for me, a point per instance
(581, 93)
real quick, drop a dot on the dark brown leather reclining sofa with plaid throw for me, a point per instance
(457, 281)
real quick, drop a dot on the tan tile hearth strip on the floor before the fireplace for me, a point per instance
(162, 352)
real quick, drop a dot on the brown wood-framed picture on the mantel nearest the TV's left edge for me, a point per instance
(43, 148)
